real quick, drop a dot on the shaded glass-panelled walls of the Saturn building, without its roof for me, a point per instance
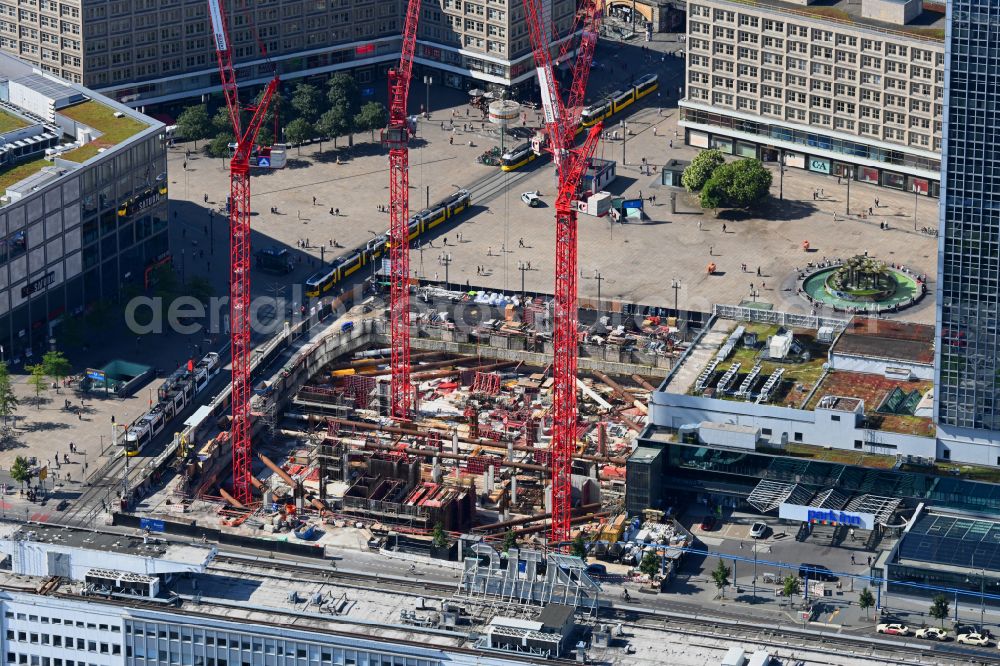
(85, 238)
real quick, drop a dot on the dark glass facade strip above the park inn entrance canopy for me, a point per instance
(689, 468)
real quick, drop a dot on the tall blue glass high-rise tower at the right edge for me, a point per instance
(967, 402)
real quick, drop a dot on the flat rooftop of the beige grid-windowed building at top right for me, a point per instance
(929, 25)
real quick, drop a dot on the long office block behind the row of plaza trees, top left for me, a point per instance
(150, 52)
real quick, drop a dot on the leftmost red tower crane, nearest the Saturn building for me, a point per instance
(239, 235)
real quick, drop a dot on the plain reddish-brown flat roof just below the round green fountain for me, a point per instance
(887, 339)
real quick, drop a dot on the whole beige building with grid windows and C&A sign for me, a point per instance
(859, 98)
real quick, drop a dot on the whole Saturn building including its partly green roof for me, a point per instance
(83, 212)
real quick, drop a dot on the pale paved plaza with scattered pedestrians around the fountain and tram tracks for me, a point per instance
(637, 262)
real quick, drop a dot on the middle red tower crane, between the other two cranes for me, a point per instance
(396, 137)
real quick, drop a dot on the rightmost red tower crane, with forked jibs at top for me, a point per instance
(561, 123)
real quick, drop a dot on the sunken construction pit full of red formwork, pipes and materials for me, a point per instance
(474, 458)
